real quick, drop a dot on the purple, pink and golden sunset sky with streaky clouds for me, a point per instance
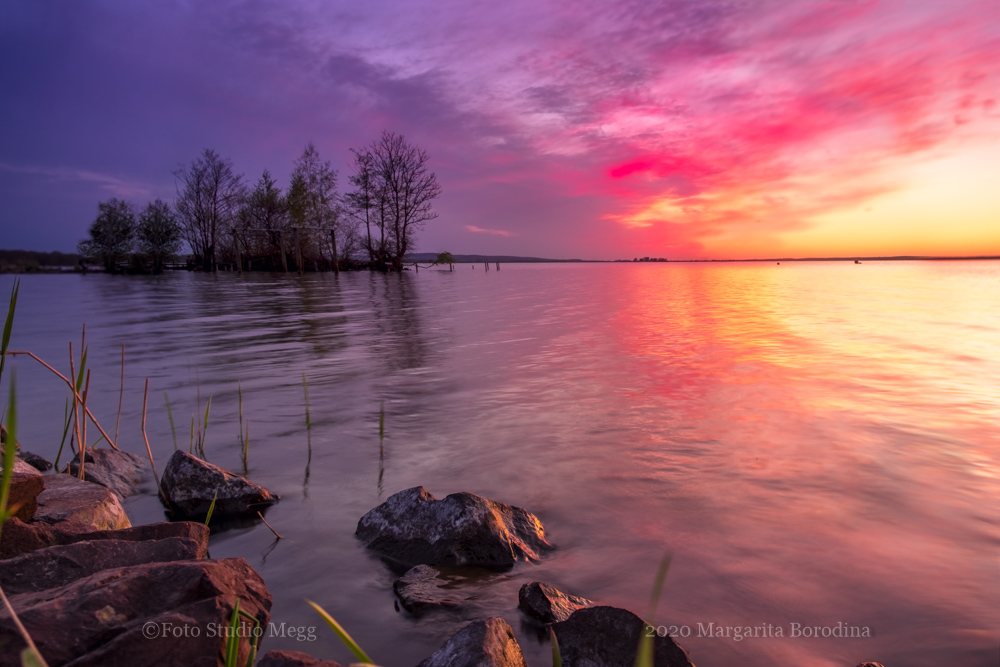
(685, 129)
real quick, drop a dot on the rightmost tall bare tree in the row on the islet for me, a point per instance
(393, 193)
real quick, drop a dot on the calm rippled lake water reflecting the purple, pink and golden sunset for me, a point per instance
(814, 442)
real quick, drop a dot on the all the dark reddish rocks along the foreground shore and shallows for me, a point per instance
(88, 586)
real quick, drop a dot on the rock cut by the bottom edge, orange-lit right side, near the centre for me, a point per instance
(488, 643)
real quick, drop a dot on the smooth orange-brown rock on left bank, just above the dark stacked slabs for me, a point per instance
(76, 505)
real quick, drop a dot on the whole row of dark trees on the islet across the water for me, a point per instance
(229, 223)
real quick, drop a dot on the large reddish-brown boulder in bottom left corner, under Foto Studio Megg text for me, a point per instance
(157, 614)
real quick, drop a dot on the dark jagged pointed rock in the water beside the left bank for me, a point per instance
(190, 484)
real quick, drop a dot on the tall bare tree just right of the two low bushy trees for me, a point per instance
(209, 193)
